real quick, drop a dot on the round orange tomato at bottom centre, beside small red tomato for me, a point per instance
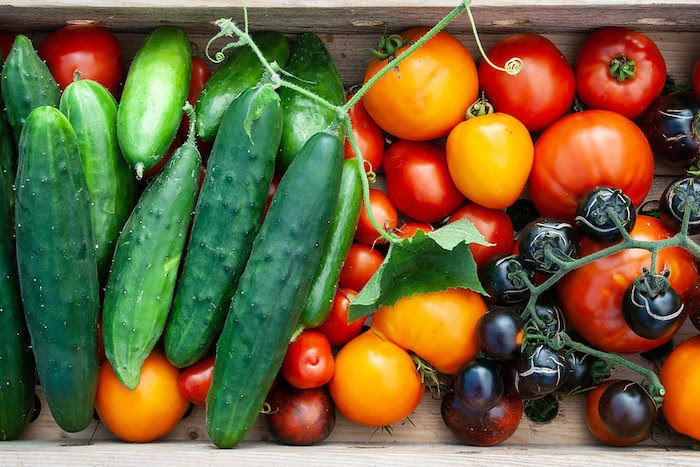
(375, 381)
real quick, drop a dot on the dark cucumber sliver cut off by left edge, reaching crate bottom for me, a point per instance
(16, 358)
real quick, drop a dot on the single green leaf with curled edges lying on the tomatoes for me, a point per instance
(423, 263)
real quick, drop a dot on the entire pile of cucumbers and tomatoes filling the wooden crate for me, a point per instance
(219, 238)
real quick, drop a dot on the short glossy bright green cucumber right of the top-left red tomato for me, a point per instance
(154, 94)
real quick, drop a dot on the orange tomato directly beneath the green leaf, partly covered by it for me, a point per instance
(439, 327)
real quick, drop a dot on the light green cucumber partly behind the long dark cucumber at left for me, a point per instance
(92, 111)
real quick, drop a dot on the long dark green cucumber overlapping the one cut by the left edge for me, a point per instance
(57, 267)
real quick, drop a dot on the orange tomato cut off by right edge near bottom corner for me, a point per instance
(680, 376)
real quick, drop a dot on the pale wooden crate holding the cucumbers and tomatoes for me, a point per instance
(348, 27)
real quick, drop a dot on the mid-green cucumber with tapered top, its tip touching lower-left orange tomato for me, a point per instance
(146, 259)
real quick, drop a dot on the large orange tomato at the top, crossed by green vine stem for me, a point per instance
(428, 92)
